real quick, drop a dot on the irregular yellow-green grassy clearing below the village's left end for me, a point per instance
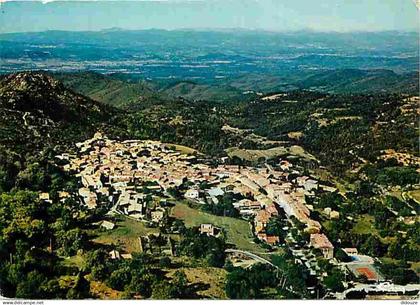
(125, 234)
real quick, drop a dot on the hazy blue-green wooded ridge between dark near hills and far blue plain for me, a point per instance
(121, 91)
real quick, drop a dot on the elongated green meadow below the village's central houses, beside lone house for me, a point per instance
(238, 230)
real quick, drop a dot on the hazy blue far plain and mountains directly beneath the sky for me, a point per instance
(207, 55)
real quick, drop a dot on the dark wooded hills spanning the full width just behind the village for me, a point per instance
(344, 131)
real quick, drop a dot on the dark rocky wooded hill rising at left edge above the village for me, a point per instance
(39, 116)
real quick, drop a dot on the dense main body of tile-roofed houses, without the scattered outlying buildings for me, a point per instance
(117, 172)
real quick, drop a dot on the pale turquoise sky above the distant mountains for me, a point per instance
(277, 15)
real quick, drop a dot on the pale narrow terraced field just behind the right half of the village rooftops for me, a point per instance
(255, 155)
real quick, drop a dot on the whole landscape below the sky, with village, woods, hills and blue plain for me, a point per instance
(206, 168)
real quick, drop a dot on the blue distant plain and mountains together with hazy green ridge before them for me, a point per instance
(215, 65)
